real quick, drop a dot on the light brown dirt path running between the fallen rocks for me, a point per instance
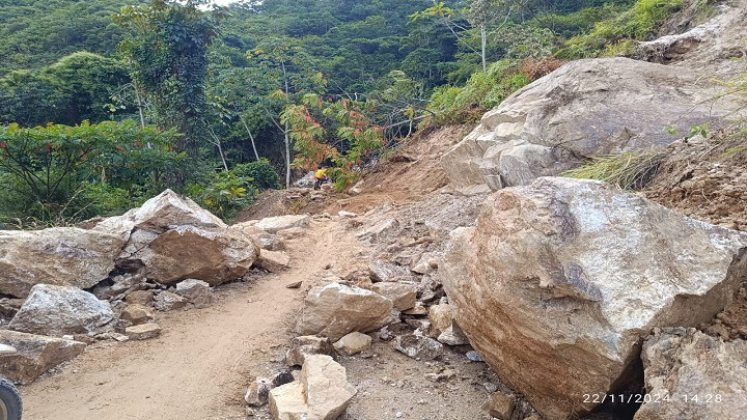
(201, 364)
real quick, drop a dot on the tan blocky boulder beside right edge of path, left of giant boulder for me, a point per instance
(338, 309)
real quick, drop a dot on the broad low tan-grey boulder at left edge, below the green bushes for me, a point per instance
(62, 256)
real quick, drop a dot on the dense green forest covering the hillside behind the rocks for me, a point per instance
(104, 103)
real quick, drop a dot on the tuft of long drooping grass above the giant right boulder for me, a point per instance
(629, 170)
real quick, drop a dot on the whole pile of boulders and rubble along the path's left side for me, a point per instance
(166, 255)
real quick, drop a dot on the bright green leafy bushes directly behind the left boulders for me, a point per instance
(73, 172)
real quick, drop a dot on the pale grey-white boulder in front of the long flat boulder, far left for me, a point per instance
(61, 310)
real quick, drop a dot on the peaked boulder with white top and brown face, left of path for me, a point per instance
(174, 239)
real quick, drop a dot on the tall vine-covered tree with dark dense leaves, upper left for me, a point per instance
(167, 46)
